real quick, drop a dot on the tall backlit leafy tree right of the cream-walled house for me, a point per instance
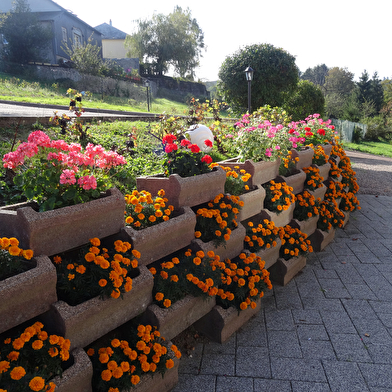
(175, 39)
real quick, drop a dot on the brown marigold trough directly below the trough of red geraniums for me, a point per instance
(164, 238)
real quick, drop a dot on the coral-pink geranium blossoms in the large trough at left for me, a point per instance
(70, 158)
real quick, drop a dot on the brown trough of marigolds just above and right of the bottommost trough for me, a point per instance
(172, 321)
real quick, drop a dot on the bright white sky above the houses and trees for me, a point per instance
(338, 33)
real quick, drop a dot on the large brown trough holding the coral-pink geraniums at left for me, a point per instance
(52, 232)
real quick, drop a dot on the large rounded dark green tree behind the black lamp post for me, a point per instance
(275, 76)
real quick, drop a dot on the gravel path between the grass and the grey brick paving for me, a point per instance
(374, 173)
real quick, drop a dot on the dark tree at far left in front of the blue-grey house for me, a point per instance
(25, 36)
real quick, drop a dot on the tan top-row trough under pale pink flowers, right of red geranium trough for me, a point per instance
(261, 172)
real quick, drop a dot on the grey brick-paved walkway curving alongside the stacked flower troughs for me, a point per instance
(329, 329)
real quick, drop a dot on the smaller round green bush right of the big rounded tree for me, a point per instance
(307, 99)
